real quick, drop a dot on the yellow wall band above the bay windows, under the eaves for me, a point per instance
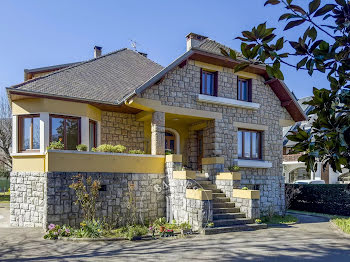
(36, 105)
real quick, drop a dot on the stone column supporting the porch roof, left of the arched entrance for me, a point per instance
(158, 133)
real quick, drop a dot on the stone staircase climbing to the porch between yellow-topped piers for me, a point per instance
(226, 217)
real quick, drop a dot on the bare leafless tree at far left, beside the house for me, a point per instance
(5, 134)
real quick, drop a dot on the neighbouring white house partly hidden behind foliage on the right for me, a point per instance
(293, 169)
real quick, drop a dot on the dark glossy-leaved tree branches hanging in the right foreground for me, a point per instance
(324, 46)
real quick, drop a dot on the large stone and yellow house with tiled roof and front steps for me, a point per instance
(196, 108)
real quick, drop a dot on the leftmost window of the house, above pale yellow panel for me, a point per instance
(29, 132)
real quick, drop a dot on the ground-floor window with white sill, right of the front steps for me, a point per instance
(249, 144)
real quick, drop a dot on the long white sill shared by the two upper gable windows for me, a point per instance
(227, 102)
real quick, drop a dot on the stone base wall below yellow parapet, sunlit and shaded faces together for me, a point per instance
(38, 199)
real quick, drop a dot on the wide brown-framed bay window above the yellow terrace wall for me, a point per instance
(67, 129)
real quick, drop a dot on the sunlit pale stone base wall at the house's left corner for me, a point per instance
(28, 199)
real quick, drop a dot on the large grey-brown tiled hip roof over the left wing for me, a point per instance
(106, 79)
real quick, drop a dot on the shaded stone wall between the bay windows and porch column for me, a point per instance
(120, 128)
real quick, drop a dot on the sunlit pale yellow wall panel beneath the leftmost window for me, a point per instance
(33, 163)
